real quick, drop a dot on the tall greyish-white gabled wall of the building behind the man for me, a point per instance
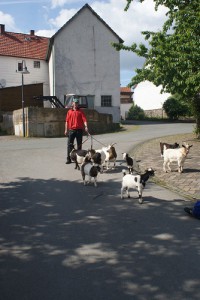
(86, 62)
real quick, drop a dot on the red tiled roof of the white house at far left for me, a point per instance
(23, 45)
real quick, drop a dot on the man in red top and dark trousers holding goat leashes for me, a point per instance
(75, 123)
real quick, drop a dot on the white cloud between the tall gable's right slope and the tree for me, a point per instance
(128, 25)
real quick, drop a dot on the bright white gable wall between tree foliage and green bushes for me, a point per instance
(148, 96)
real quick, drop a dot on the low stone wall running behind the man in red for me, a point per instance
(50, 122)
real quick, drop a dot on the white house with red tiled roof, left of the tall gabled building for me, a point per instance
(15, 47)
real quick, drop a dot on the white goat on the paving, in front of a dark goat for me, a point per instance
(176, 155)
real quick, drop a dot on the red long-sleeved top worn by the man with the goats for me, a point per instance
(75, 119)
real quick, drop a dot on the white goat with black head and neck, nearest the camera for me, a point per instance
(135, 182)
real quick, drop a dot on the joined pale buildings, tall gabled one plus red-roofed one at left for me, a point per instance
(79, 58)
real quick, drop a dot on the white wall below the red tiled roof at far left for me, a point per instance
(9, 65)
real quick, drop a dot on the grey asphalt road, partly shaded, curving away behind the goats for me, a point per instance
(60, 240)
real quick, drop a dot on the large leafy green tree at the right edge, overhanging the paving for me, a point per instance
(173, 56)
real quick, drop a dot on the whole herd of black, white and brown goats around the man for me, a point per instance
(91, 162)
